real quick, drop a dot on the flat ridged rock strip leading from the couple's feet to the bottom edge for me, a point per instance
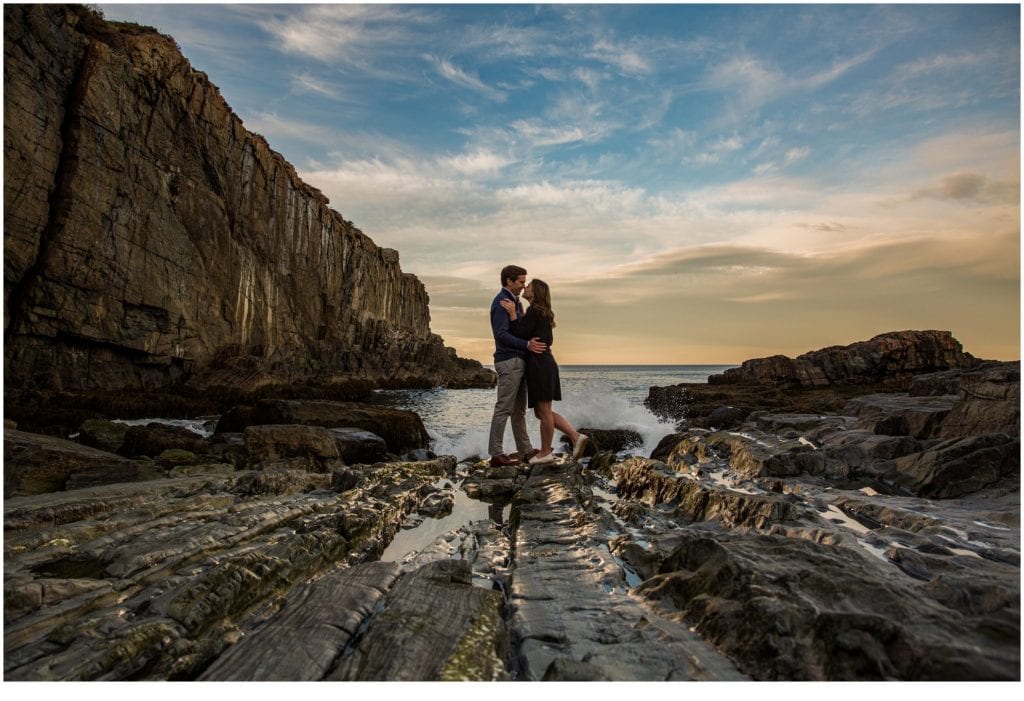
(573, 617)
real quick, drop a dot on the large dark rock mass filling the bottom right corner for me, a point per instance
(793, 609)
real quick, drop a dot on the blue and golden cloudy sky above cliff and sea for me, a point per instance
(697, 184)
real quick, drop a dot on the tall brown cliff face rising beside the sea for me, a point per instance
(150, 239)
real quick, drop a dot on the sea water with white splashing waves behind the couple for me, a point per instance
(593, 397)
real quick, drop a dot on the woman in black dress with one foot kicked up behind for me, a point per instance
(543, 385)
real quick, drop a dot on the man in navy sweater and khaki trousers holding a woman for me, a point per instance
(510, 364)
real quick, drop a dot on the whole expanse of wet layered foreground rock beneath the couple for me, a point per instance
(880, 541)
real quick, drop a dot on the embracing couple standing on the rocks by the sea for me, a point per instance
(528, 374)
